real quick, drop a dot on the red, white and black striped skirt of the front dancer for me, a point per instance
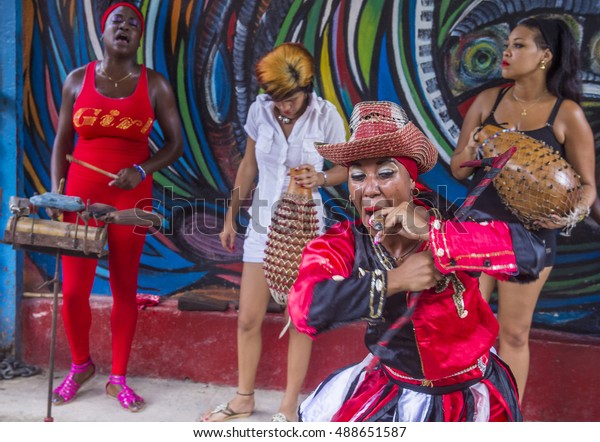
(355, 395)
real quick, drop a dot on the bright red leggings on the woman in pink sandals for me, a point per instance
(125, 244)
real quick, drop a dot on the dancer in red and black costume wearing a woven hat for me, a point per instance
(400, 265)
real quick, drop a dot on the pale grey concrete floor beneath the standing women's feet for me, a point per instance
(24, 399)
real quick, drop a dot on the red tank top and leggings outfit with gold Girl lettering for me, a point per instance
(113, 135)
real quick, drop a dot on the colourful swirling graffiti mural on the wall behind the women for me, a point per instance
(432, 57)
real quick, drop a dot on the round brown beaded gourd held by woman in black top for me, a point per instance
(536, 184)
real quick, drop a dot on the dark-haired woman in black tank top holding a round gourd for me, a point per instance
(541, 59)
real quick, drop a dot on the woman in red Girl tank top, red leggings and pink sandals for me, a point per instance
(111, 106)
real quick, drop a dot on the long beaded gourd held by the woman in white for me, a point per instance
(294, 224)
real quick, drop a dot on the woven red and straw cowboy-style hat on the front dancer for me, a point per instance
(382, 129)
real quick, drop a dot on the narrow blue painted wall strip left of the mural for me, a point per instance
(11, 150)
